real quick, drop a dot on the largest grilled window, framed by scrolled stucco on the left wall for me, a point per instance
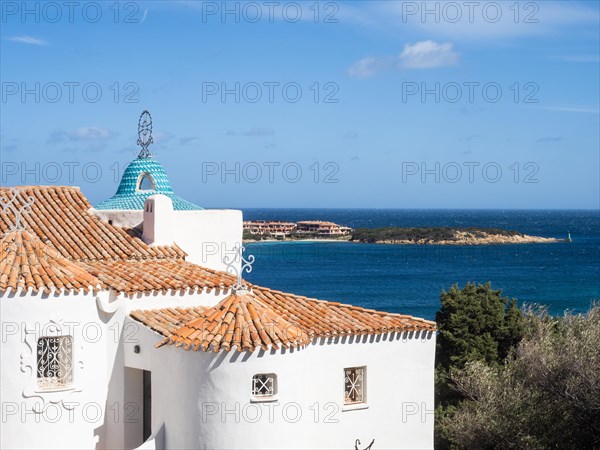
(54, 362)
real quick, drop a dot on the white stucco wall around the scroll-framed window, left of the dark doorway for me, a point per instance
(97, 412)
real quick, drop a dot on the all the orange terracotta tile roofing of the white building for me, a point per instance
(67, 247)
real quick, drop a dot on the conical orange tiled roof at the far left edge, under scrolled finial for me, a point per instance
(27, 263)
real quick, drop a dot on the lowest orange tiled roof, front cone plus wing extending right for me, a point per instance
(293, 318)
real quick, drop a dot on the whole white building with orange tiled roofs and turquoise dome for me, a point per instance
(129, 325)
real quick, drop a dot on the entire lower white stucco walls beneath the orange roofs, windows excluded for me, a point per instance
(202, 400)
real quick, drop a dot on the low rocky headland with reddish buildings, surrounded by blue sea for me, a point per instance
(264, 230)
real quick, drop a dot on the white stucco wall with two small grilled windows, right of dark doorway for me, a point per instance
(203, 400)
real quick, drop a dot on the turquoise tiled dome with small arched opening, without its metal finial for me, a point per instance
(142, 178)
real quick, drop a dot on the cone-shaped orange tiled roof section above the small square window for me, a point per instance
(242, 321)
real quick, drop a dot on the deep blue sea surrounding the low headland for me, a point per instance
(409, 278)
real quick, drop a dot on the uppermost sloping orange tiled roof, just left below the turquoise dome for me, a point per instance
(60, 217)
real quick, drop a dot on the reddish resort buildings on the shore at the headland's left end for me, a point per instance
(280, 229)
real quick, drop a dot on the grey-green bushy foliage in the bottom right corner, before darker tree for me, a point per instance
(547, 395)
